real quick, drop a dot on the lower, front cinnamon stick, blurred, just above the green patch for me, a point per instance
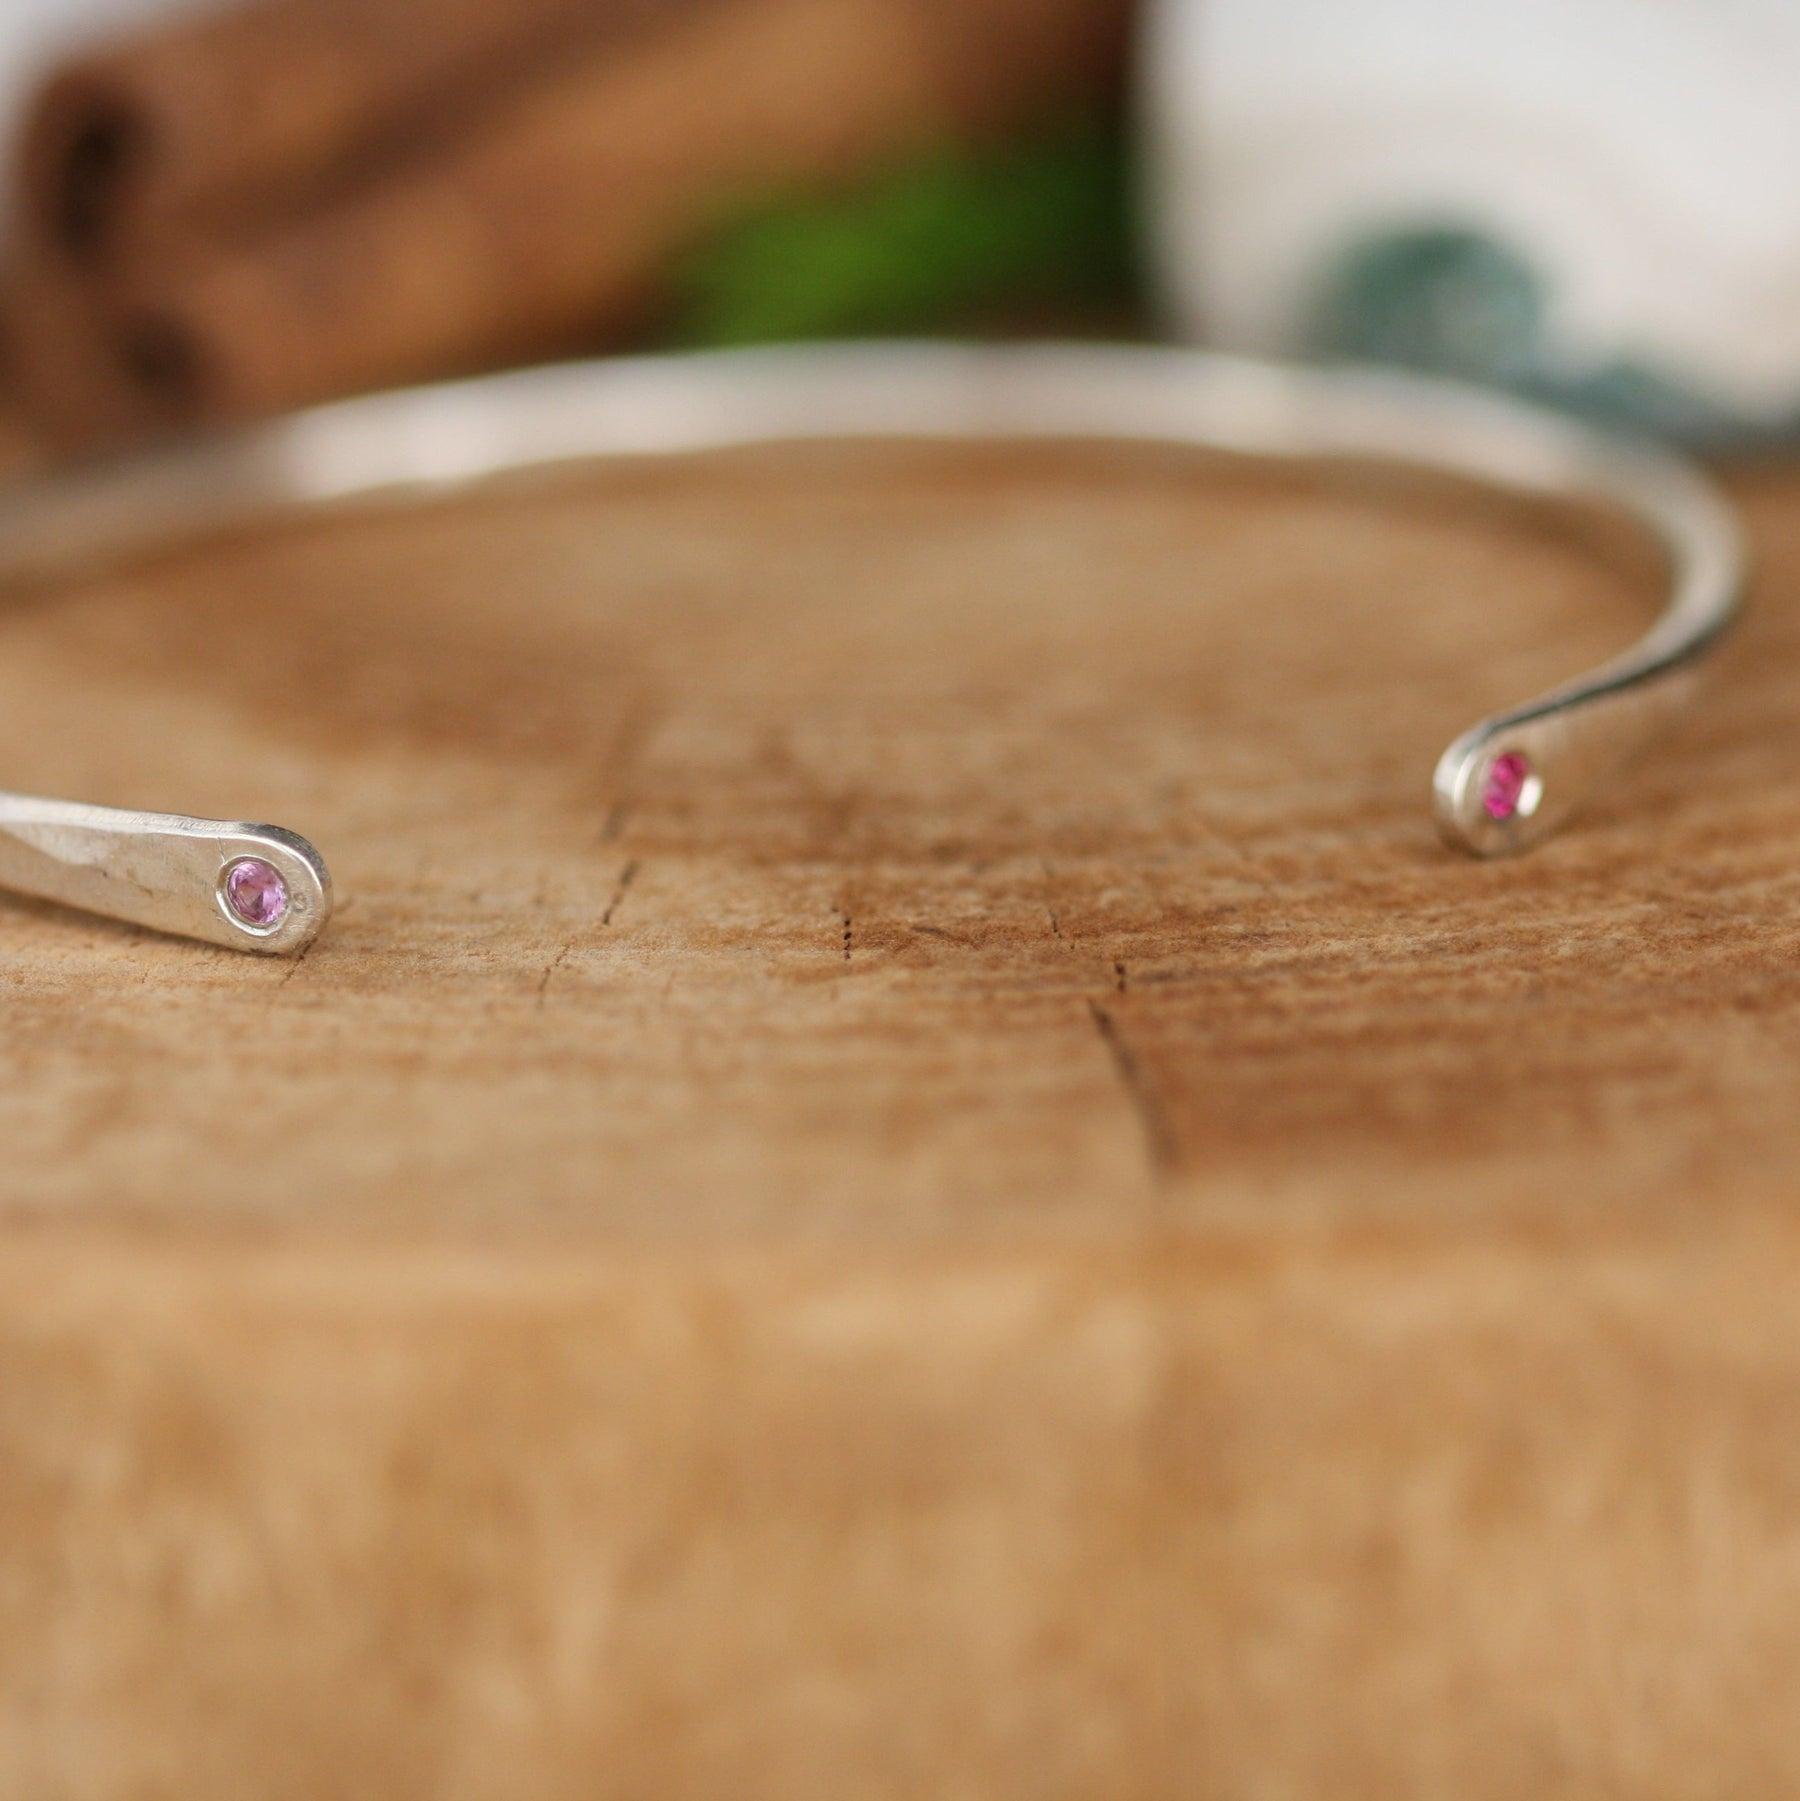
(552, 217)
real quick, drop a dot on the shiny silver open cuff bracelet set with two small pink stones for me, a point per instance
(165, 871)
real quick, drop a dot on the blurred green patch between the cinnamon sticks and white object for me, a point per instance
(934, 242)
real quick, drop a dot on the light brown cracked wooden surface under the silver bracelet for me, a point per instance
(907, 1172)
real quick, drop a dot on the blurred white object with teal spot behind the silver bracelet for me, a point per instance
(1639, 159)
